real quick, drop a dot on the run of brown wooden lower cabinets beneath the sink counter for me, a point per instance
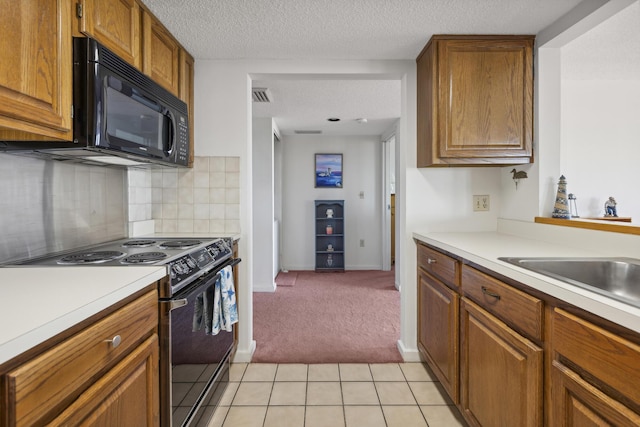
(509, 355)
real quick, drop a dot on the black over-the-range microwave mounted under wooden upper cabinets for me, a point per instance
(120, 116)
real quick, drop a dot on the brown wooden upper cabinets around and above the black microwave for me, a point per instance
(36, 52)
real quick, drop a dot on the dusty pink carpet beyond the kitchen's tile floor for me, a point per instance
(351, 317)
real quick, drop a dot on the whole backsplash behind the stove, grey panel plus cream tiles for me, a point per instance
(49, 206)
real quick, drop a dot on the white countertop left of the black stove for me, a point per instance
(40, 302)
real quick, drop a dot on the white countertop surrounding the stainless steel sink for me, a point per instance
(484, 249)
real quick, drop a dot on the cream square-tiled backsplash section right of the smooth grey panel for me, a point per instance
(204, 199)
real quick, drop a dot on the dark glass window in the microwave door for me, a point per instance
(133, 121)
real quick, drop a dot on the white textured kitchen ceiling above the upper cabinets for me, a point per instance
(342, 29)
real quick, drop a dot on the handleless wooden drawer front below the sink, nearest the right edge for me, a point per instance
(604, 355)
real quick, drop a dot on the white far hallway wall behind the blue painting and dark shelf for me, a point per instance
(361, 157)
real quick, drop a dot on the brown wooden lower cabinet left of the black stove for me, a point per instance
(90, 377)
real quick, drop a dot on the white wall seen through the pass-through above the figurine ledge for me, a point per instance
(601, 144)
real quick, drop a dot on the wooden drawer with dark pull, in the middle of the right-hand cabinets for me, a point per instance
(520, 310)
